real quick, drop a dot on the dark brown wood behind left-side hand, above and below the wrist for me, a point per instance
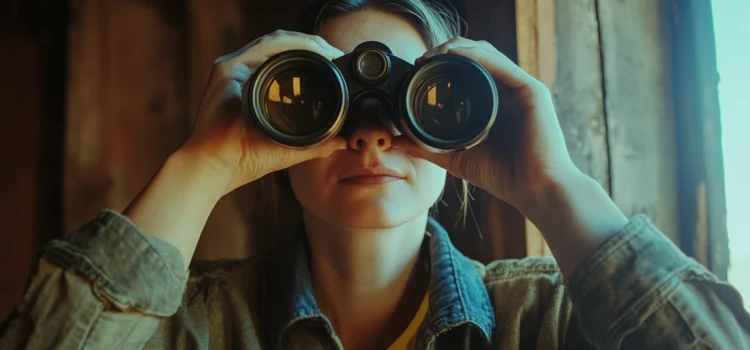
(243, 223)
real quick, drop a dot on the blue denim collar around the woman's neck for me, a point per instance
(458, 295)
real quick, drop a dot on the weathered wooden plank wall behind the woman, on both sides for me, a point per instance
(91, 112)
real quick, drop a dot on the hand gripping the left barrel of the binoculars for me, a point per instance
(238, 151)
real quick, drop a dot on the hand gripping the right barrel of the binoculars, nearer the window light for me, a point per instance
(525, 153)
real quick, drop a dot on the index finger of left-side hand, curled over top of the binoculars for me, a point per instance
(257, 52)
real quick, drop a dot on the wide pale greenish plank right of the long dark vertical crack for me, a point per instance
(640, 119)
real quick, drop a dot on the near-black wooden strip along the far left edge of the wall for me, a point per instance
(32, 83)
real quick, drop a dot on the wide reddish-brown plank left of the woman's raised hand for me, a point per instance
(126, 101)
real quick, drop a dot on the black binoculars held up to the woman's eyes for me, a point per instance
(299, 98)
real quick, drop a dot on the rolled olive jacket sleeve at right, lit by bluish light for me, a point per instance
(639, 291)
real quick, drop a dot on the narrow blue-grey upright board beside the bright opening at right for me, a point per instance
(702, 198)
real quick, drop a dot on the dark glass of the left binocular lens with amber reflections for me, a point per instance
(299, 101)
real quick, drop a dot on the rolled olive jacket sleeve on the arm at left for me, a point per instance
(104, 286)
